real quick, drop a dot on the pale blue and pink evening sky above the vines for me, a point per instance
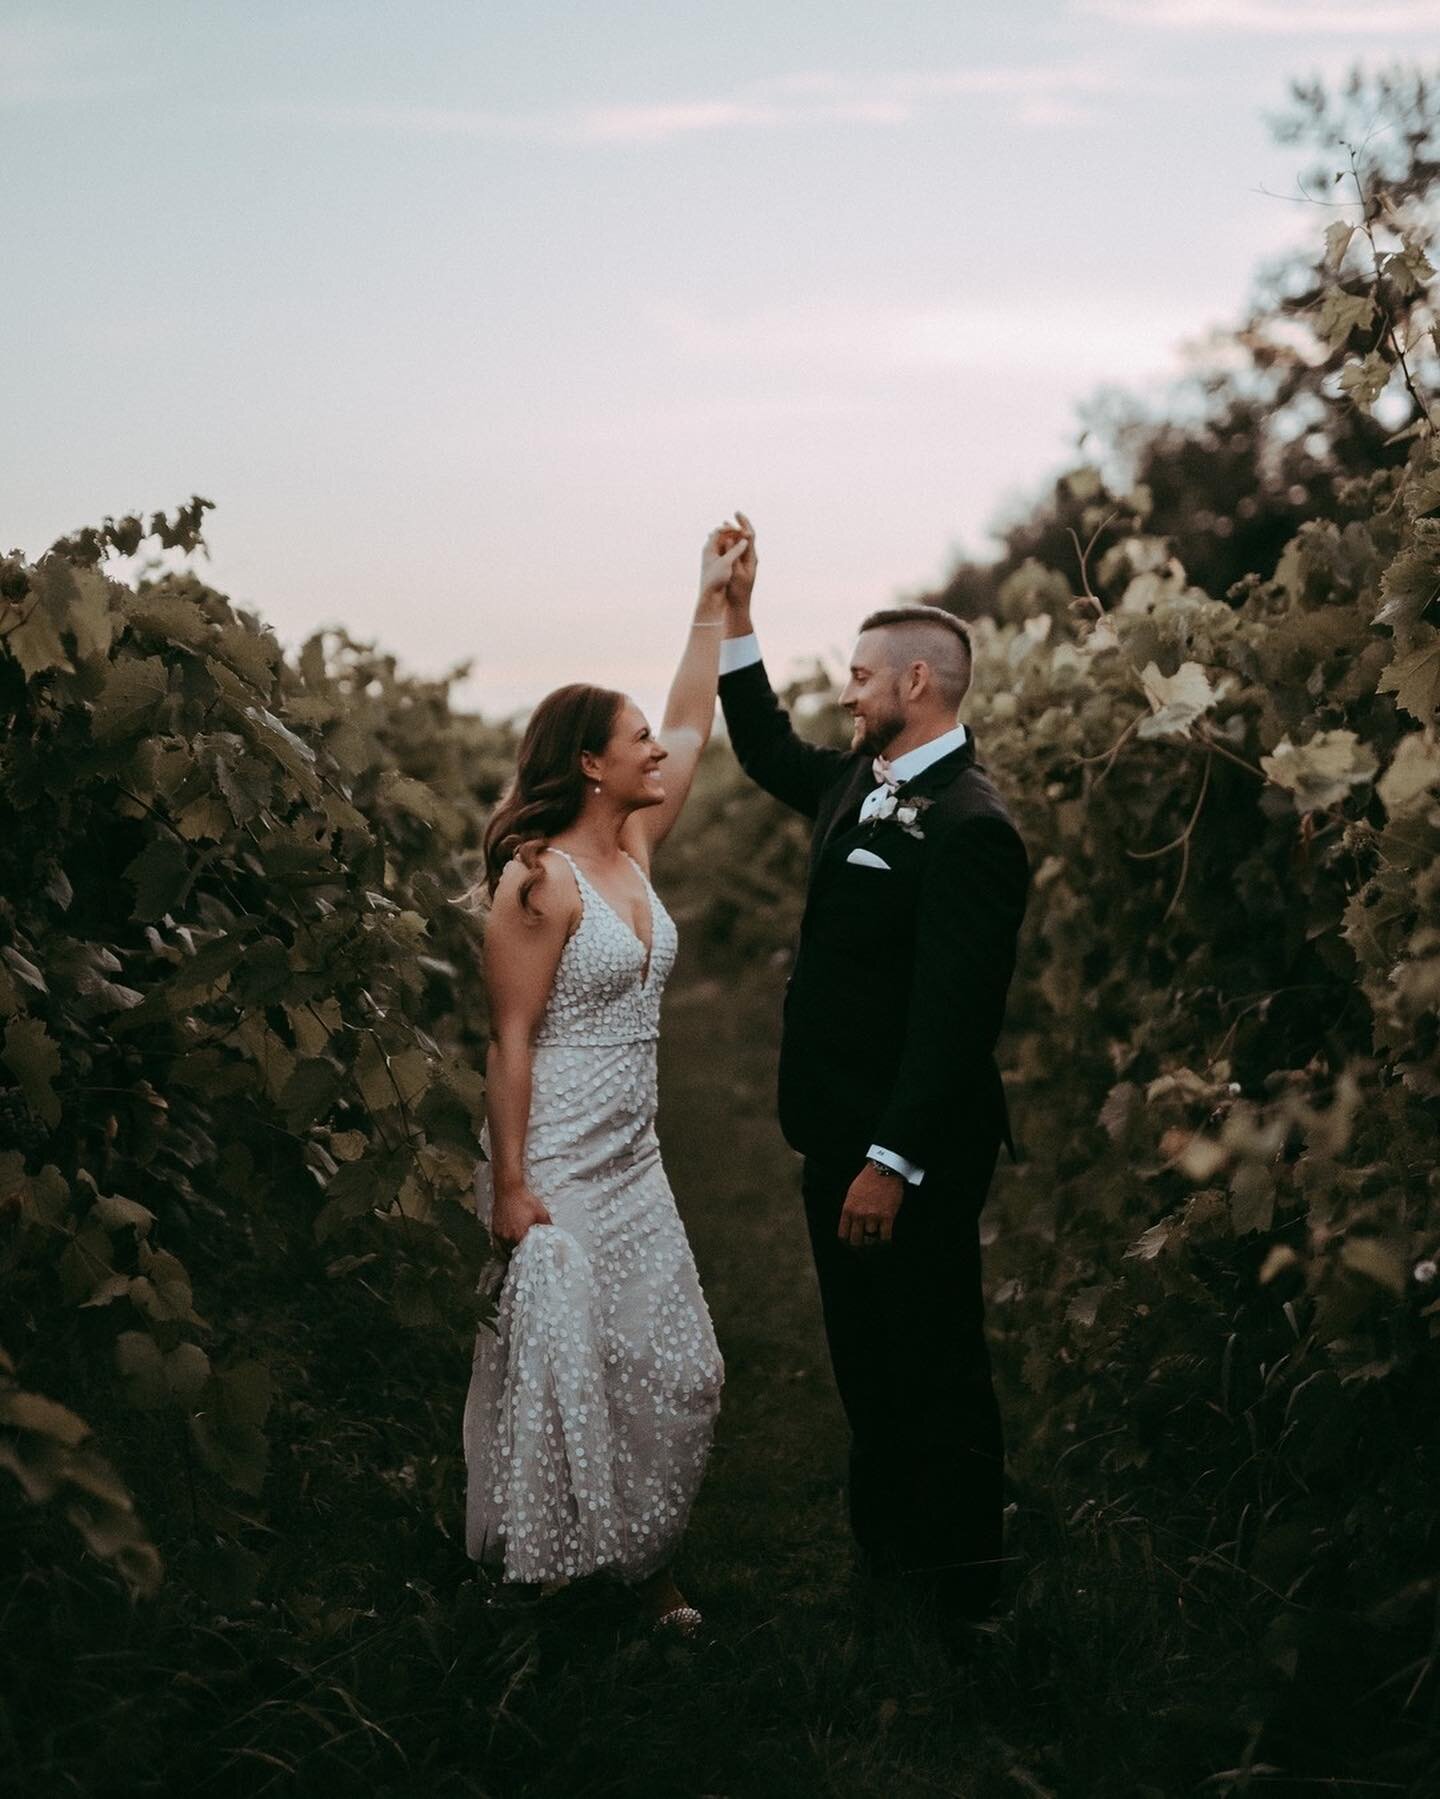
(474, 318)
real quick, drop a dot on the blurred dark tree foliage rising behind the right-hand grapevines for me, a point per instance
(1291, 411)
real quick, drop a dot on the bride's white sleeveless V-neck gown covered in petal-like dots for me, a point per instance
(593, 1402)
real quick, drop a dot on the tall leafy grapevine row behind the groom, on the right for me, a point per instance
(1216, 1264)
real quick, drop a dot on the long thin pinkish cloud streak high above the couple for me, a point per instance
(1043, 96)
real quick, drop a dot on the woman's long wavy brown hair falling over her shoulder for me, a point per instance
(550, 785)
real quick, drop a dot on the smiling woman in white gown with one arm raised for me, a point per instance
(593, 1401)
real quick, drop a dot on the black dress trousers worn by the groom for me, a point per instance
(906, 1330)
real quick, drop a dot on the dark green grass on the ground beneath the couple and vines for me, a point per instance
(350, 1649)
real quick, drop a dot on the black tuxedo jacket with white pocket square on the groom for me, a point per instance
(897, 994)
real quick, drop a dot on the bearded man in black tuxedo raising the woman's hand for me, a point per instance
(888, 1079)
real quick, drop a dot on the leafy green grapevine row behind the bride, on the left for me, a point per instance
(237, 1010)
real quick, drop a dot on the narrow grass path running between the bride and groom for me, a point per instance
(795, 1692)
